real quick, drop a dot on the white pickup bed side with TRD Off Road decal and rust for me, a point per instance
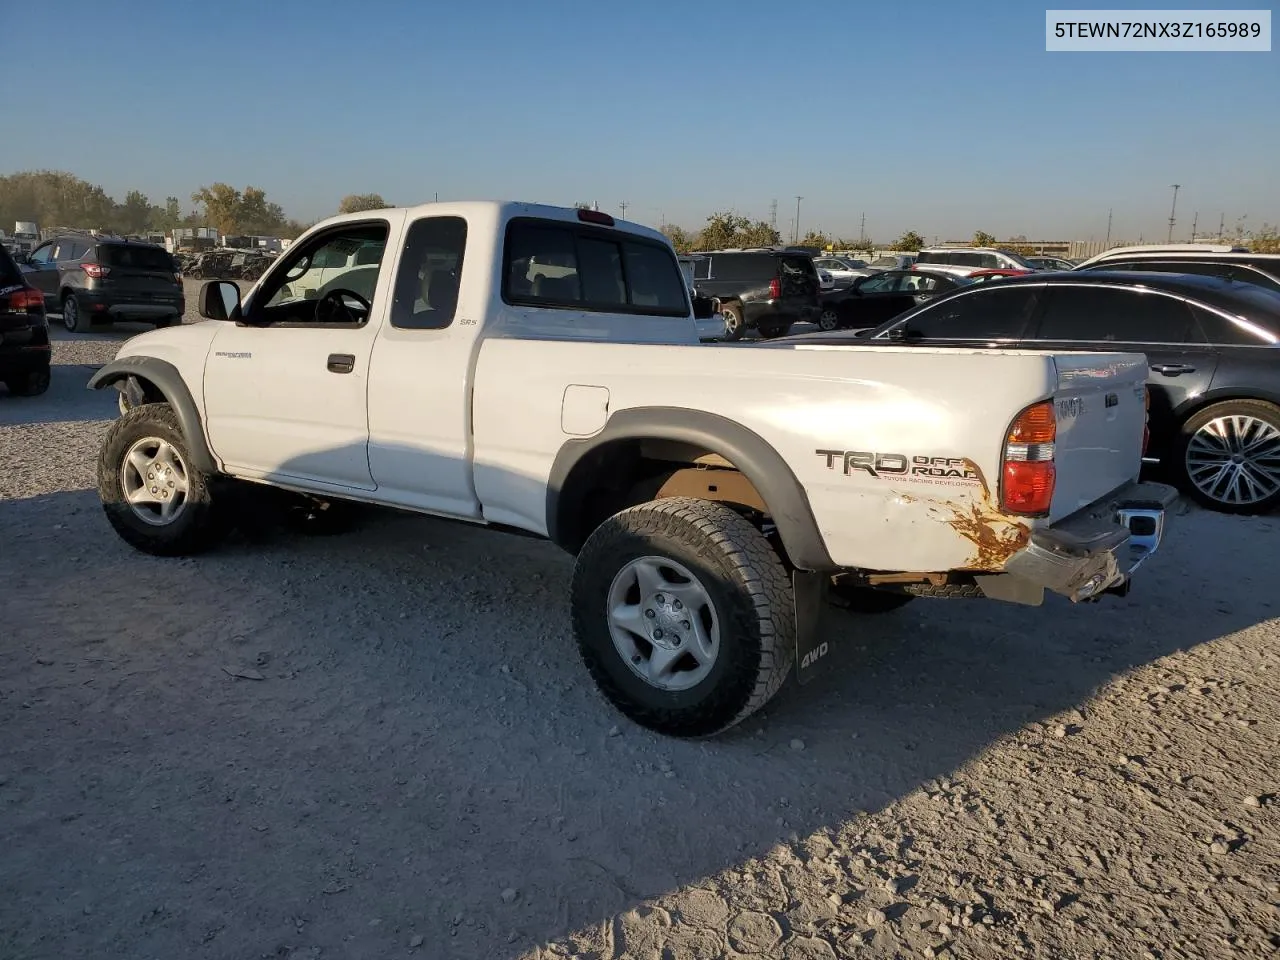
(898, 449)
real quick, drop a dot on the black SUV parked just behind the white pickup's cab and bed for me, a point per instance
(769, 290)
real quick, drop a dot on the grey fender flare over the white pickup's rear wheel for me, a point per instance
(771, 476)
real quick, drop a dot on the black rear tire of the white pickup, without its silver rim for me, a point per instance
(749, 589)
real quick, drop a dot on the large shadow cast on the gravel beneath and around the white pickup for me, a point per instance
(294, 737)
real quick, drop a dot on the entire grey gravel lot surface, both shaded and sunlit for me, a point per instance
(382, 744)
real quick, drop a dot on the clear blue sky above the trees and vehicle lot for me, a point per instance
(938, 117)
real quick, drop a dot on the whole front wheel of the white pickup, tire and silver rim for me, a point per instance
(154, 499)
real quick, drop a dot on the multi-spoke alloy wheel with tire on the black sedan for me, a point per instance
(1229, 458)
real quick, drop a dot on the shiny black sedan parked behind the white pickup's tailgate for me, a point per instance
(1213, 346)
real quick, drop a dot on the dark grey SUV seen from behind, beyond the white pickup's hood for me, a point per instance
(98, 281)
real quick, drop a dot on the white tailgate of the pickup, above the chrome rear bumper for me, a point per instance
(1101, 414)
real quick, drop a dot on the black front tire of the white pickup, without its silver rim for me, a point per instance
(196, 529)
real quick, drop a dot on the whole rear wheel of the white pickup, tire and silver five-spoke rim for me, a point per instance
(684, 616)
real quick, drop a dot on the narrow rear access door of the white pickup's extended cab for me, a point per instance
(420, 373)
